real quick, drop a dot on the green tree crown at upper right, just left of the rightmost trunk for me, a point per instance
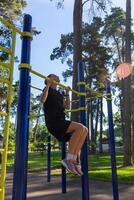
(114, 29)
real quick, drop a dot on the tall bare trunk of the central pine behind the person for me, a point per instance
(77, 54)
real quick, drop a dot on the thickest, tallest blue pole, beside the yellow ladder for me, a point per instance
(21, 154)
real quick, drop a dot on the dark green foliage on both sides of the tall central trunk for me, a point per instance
(95, 54)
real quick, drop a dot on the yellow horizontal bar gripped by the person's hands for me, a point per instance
(59, 84)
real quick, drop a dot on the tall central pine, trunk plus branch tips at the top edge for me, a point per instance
(77, 40)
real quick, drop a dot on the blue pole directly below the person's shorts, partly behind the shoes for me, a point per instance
(63, 155)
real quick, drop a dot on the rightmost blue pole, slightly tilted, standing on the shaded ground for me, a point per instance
(112, 143)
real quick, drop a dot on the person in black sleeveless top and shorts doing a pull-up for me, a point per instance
(54, 105)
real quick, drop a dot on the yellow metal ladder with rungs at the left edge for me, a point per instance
(6, 114)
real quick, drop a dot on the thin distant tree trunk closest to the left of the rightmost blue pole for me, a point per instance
(101, 129)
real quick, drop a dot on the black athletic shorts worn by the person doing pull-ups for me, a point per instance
(59, 128)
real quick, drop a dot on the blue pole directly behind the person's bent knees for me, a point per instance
(84, 153)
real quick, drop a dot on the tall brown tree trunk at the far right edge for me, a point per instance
(127, 91)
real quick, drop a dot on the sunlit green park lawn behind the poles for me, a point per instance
(99, 166)
